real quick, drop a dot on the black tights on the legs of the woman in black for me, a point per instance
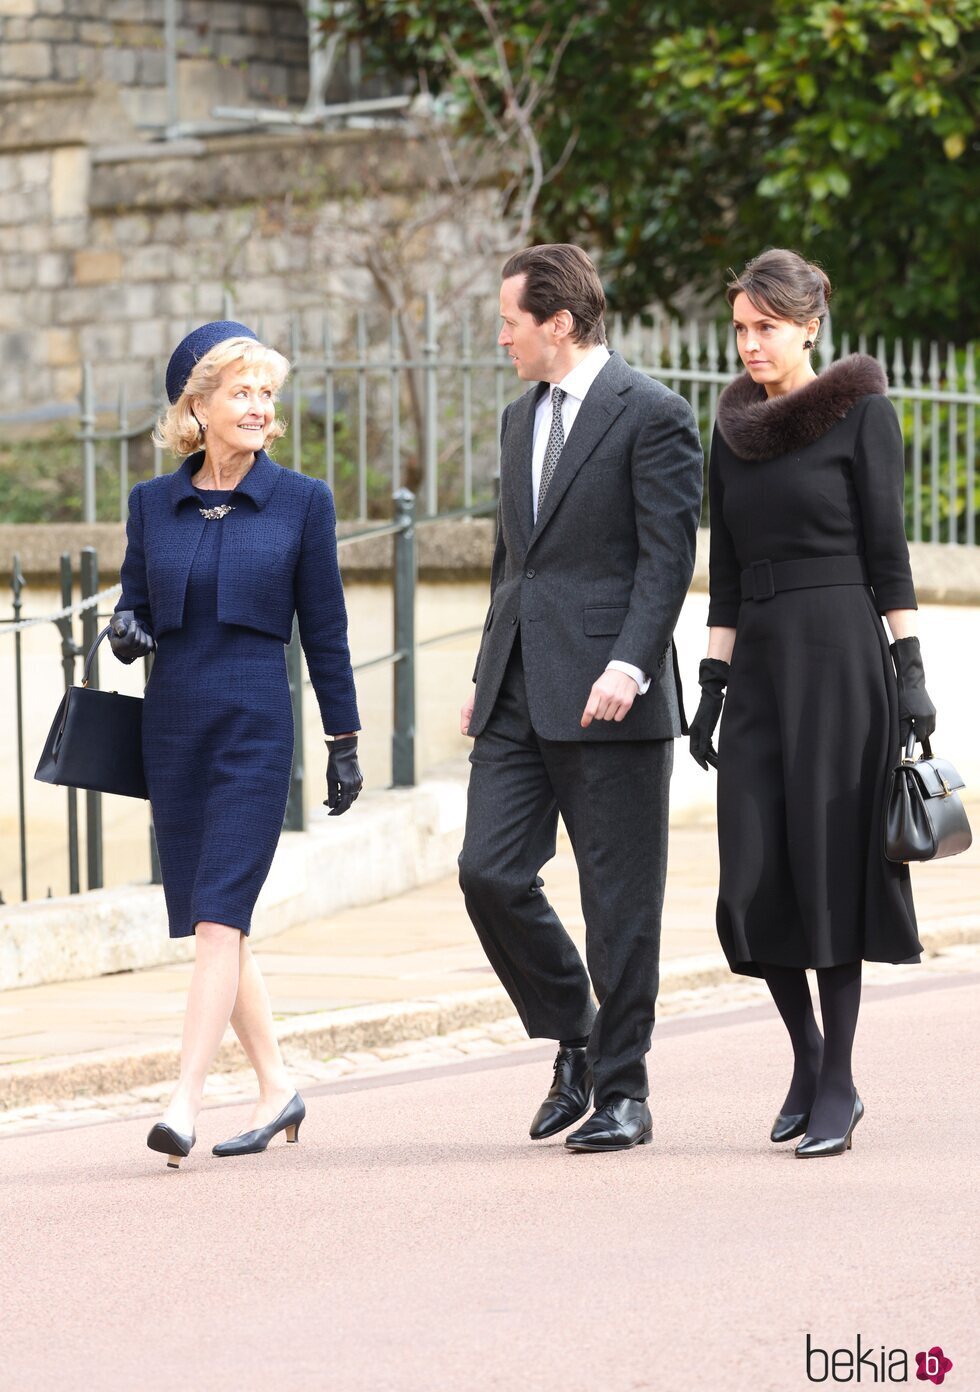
(822, 1082)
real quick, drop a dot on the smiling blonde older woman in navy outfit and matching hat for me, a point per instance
(221, 556)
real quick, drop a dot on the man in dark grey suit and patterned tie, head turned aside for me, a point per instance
(577, 701)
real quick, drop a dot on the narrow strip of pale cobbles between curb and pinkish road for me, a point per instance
(506, 1036)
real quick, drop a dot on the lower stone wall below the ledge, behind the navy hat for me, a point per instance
(111, 257)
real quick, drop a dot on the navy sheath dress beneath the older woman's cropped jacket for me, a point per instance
(218, 751)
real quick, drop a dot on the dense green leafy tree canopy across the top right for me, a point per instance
(708, 130)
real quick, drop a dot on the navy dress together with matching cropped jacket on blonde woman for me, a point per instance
(219, 596)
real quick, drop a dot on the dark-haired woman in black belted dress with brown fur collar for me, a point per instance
(808, 551)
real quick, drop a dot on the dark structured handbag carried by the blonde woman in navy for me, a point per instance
(97, 740)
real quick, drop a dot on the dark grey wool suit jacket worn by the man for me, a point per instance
(603, 571)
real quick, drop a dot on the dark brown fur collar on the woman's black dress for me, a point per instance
(762, 428)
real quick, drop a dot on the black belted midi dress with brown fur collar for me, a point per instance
(809, 730)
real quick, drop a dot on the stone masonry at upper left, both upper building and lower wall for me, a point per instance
(113, 242)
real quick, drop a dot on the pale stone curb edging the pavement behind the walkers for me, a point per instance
(367, 1028)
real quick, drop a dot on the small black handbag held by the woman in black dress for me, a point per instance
(925, 818)
